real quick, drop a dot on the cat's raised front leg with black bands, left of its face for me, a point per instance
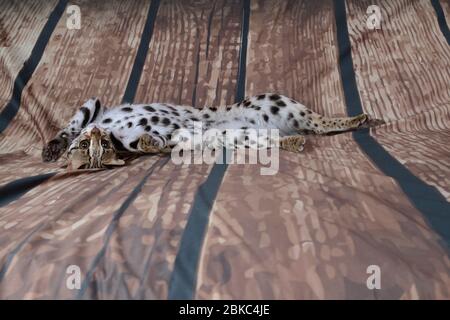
(88, 113)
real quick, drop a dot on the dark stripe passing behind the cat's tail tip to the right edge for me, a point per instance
(424, 197)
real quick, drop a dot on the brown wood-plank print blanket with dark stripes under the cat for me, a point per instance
(156, 230)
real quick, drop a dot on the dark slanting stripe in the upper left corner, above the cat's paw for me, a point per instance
(12, 108)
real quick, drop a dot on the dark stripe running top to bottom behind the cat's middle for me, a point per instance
(183, 281)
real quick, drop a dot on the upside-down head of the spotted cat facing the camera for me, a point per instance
(92, 149)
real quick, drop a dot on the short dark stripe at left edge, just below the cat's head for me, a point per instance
(17, 188)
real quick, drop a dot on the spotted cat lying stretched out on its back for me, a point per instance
(150, 128)
